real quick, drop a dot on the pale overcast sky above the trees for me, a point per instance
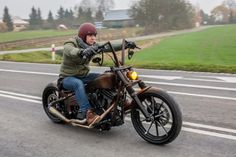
(22, 8)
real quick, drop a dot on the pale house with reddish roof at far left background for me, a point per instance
(18, 23)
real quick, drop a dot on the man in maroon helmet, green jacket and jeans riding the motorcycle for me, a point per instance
(74, 70)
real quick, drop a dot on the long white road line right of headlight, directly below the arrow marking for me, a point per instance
(191, 86)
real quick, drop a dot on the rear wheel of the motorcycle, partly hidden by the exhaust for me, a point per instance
(51, 94)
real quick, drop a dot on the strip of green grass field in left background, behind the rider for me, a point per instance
(13, 36)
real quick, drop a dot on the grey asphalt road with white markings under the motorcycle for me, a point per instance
(207, 101)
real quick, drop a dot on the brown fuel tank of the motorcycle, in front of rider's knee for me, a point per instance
(105, 81)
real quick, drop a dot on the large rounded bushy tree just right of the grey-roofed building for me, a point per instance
(159, 15)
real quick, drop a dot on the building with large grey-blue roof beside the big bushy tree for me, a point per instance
(118, 18)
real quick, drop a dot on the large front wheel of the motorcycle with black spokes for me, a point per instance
(166, 118)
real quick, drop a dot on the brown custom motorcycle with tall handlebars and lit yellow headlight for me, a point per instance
(155, 115)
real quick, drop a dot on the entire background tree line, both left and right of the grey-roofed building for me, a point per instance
(153, 15)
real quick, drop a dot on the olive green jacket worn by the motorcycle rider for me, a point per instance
(72, 63)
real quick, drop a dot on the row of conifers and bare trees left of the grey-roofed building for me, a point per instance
(86, 11)
